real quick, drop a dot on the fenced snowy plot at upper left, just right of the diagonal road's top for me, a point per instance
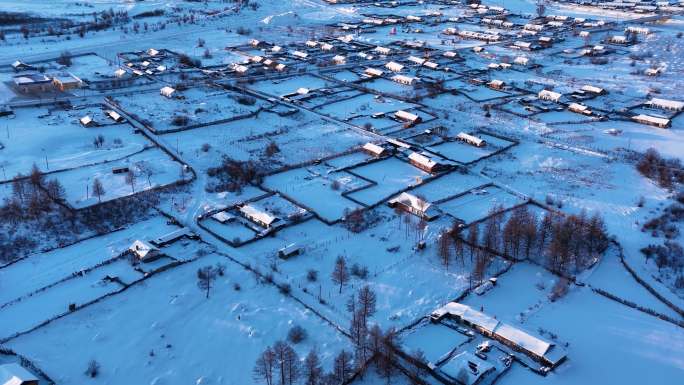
(194, 106)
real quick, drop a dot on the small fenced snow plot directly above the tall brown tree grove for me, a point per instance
(477, 203)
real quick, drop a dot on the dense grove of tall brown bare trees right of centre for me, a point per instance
(565, 244)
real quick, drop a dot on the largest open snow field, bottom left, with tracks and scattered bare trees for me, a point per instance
(164, 335)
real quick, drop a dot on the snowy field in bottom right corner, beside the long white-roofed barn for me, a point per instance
(637, 348)
